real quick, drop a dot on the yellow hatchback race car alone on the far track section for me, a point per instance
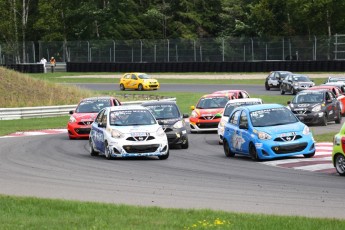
(138, 81)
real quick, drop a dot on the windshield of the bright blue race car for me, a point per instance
(272, 117)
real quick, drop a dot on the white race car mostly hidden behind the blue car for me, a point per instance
(229, 107)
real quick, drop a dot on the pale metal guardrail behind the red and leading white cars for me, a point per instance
(50, 111)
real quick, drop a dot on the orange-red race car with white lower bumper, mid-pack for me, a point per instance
(206, 114)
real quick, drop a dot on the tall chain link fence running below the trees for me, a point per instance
(179, 50)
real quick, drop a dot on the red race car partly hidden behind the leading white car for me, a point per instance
(79, 124)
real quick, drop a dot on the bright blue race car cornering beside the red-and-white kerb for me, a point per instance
(266, 131)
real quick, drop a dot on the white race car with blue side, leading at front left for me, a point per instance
(127, 131)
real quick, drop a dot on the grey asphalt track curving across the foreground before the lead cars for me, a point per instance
(53, 166)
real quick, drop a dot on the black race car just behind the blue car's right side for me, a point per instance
(316, 107)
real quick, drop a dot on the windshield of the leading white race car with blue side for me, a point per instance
(131, 117)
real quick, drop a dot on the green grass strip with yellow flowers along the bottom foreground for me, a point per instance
(34, 213)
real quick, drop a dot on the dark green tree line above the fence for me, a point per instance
(62, 20)
